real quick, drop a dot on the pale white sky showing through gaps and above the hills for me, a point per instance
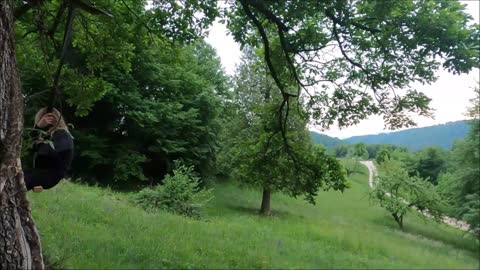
(450, 94)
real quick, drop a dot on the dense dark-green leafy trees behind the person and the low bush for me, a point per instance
(136, 101)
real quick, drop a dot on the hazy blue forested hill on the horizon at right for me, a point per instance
(417, 138)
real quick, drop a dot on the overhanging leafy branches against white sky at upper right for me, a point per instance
(381, 47)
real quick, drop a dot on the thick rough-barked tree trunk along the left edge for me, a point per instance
(19, 241)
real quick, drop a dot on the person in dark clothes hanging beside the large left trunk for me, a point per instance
(53, 151)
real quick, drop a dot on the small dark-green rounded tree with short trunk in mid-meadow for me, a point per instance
(262, 163)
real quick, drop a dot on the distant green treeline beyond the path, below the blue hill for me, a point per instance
(455, 173)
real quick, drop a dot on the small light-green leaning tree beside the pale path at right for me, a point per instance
(398, 193)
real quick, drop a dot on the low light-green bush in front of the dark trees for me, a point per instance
(180, 193)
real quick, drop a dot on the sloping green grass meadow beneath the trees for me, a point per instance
(90, 227)
